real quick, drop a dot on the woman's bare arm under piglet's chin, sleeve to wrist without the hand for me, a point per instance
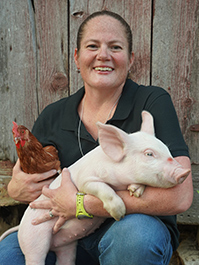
(154, 201)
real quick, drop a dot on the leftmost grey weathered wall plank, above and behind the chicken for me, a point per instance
(17, 73)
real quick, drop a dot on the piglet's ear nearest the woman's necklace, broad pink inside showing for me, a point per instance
(112, 141)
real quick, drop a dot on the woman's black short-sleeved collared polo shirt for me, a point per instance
(58, 125)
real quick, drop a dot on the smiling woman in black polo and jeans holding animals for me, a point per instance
(148, 233)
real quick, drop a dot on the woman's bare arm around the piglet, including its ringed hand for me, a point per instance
(154, 201)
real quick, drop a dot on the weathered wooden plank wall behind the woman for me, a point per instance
(38, 39)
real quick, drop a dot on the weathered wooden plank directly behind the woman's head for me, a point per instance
(139, 18)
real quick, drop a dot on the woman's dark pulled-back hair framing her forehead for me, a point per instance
(111, 14)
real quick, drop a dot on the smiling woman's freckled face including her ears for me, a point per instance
(103, 58)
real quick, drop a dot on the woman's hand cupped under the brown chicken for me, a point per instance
(27, 187)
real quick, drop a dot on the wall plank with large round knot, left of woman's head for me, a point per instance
(51, 23)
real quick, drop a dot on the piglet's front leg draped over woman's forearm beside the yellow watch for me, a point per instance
(111, 201)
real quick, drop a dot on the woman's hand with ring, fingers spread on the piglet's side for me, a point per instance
(61, 202)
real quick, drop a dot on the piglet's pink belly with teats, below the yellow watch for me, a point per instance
(75, 229)
